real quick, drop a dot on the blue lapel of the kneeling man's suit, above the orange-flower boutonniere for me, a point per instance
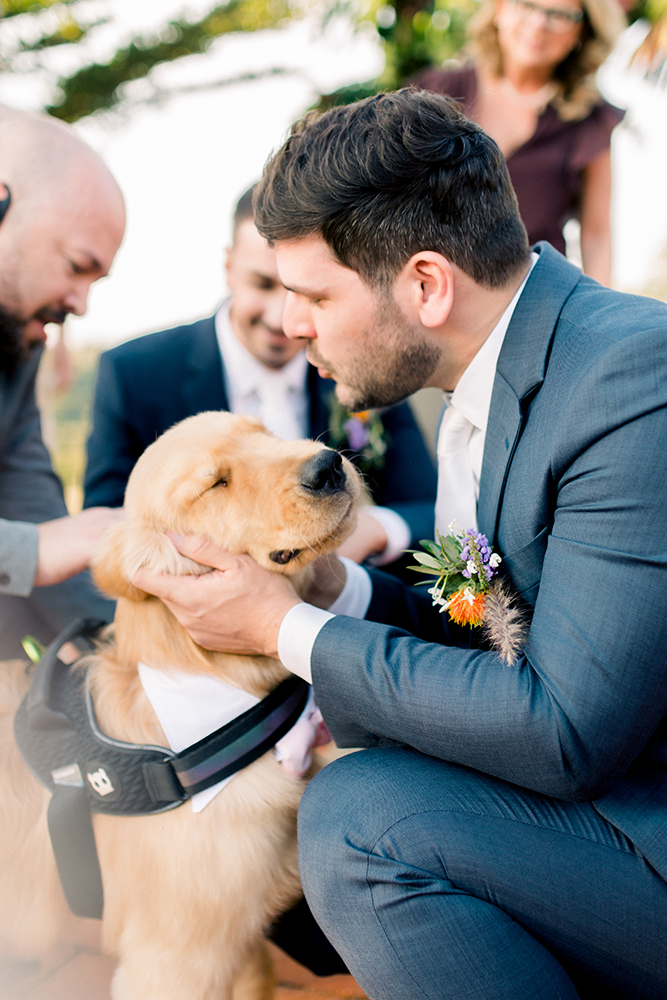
(520, 372)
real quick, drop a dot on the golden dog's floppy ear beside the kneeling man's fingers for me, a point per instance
(127, 548)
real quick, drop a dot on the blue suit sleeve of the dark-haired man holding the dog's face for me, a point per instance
(571, 717)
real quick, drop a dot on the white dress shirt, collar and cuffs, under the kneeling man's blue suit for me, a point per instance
(472, 397)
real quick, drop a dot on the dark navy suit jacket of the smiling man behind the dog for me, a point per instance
(146, 385)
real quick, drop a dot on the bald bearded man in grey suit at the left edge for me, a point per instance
(61, 222)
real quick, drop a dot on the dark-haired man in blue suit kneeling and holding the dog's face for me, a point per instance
(503, 836)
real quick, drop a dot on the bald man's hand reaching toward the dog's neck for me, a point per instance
(67, 544)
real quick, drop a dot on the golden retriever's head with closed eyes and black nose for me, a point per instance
(224, 476)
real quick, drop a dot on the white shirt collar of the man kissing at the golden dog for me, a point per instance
(472, 395)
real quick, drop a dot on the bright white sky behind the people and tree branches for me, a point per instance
(183, 163)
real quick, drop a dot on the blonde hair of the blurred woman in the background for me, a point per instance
(576, 92)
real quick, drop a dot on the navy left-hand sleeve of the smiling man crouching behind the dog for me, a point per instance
(113, 446)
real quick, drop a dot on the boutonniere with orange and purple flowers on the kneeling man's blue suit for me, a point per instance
(468, 588)
